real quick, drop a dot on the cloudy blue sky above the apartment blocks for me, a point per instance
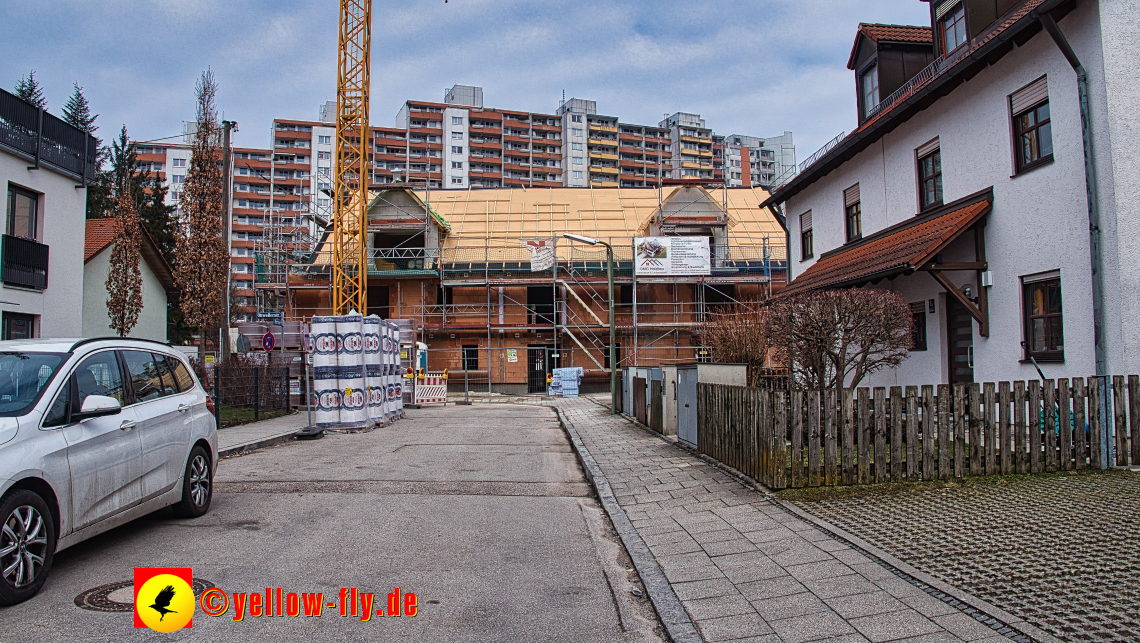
(748, 67)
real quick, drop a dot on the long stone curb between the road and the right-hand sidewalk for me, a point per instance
(673, 615)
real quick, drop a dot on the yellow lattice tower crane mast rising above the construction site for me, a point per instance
(351, 222)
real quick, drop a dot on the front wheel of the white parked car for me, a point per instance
(28, 544)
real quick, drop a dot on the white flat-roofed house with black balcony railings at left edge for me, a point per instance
(45, 168)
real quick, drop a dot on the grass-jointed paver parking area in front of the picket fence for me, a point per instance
(1063, 552)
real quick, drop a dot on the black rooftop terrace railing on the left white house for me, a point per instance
(45, 139)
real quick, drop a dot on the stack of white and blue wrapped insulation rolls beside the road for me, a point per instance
(354, 372)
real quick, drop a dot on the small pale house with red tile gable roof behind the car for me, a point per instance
(158, 283)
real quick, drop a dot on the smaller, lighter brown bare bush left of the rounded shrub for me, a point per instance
(739, 335)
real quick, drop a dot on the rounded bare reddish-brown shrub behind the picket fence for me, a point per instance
(838, 338)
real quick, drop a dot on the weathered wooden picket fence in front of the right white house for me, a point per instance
(870, 436)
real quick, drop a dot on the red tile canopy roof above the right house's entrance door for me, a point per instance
(893, 251)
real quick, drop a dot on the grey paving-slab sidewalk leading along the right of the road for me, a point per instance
(744, 567)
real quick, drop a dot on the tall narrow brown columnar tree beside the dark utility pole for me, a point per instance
(203, 264)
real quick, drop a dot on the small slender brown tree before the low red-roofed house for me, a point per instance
(125, 282)
